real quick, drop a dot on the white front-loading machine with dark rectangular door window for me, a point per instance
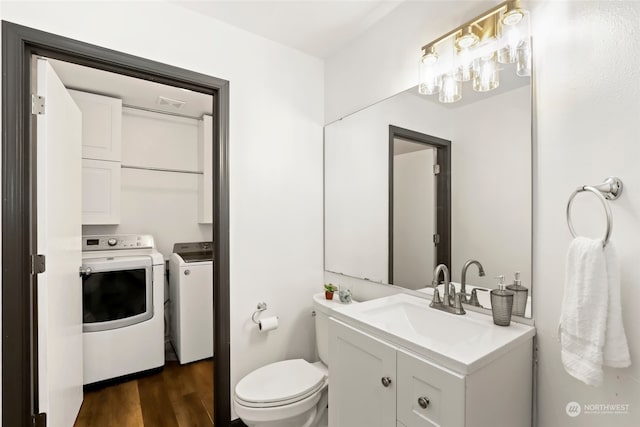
(122, 295)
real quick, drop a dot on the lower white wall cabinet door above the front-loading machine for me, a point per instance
(100, 192)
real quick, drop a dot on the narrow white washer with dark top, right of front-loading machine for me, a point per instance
(191, 295)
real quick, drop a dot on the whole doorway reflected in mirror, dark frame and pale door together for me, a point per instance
(419, 207)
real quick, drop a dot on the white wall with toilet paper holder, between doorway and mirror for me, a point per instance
(276, 120)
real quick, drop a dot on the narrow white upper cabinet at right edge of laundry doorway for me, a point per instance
(205, 164)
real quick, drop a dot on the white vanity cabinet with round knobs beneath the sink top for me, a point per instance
(421, 393)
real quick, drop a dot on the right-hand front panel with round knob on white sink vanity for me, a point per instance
(421, 384)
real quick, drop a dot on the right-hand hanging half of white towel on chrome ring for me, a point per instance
(616, 349)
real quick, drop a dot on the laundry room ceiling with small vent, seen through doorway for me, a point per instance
(132, 91)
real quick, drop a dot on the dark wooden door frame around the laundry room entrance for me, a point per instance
(19, 348)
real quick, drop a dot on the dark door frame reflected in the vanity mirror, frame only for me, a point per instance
(443, 197)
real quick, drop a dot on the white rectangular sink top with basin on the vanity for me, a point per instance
(462, 343)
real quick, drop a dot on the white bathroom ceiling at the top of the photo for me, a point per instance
(317, 27)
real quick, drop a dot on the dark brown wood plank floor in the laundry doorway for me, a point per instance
(179, 396)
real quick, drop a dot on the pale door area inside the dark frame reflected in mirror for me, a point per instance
(414, 213)
